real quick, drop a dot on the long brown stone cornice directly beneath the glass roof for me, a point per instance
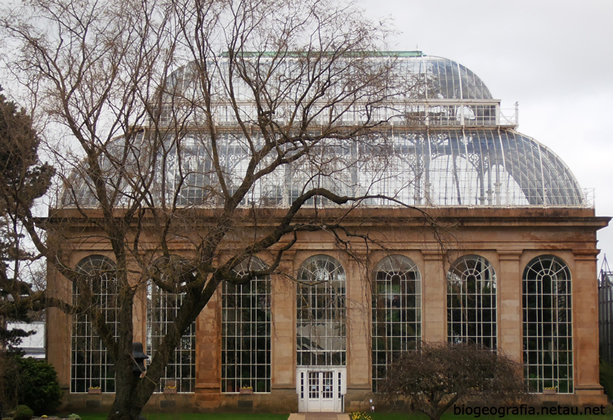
(455, 217)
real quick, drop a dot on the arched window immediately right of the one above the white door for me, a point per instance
(396, 312)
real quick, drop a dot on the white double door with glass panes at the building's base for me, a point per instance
(321, 389)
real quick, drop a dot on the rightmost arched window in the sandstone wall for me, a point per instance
(548, 340)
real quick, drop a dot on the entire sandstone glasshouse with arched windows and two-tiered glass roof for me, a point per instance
(462, 230)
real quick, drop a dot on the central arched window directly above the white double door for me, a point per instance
(321, 329)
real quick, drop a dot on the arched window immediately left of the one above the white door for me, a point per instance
(245, 331)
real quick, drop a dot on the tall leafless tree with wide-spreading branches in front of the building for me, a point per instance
(176, 121)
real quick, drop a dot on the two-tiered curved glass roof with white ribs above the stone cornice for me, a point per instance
(456, 153)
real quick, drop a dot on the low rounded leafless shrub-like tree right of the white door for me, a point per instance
(437, 376)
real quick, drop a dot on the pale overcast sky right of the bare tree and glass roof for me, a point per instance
(554, 57)
